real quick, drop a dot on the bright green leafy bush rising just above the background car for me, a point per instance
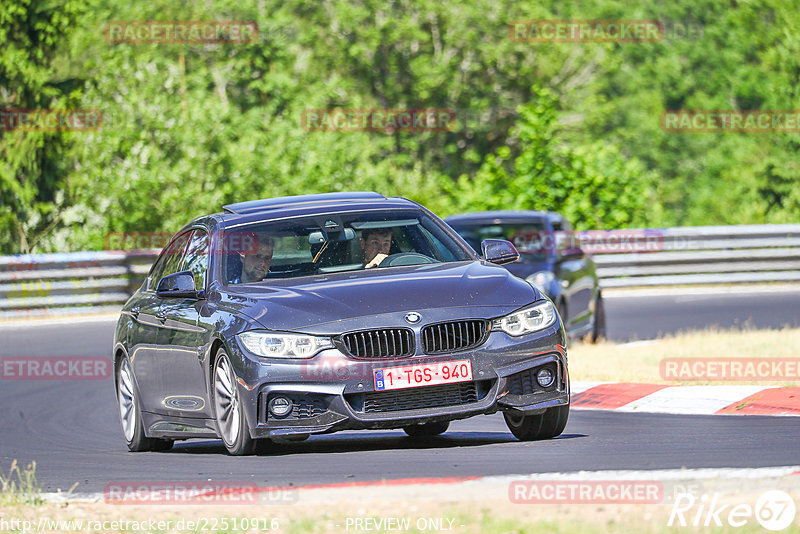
(595, 186)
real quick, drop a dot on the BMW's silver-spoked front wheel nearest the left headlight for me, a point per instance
(228, 411)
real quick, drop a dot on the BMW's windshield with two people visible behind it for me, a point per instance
(334, 242)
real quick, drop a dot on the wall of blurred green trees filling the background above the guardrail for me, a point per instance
(573, 127)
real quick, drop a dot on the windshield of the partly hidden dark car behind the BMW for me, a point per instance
(530, 238)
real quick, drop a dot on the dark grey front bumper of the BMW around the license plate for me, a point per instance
(333, 392)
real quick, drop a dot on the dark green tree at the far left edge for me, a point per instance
(33, 165)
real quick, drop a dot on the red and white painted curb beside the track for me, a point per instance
(693, 400)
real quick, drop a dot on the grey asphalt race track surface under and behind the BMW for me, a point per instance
(71, 428)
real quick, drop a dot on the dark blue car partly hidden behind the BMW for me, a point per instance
(550, 258)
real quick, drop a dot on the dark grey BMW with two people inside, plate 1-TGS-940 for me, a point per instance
(267, 321)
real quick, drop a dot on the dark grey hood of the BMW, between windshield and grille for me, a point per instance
(364, 299)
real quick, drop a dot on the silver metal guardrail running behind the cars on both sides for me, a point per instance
(89, 282)
